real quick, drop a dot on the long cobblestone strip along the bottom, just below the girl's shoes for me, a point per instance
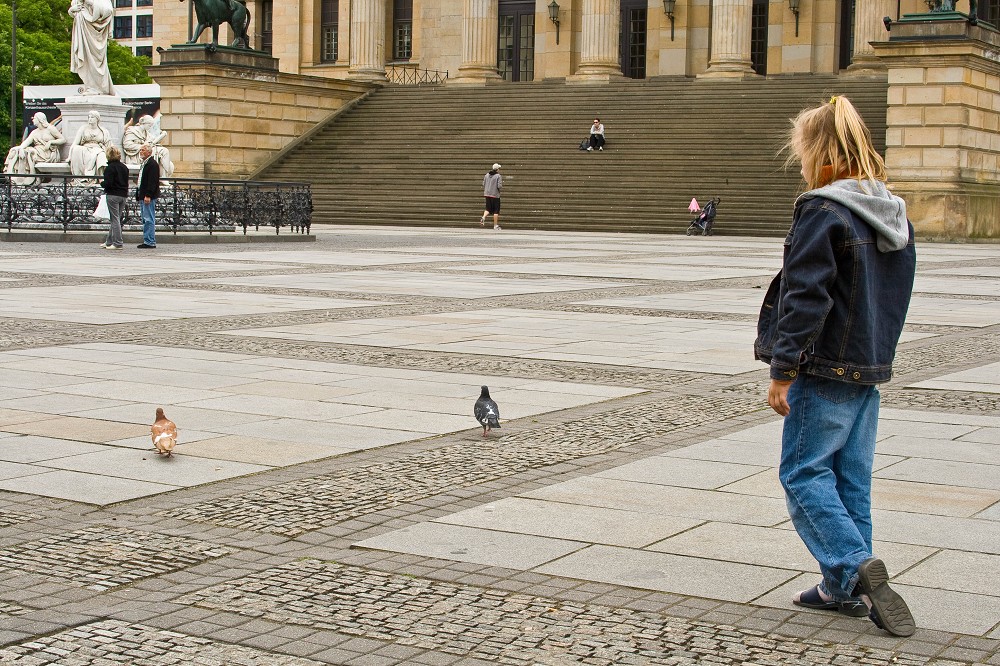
(509, 628)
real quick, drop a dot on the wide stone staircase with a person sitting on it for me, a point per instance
(417, 155)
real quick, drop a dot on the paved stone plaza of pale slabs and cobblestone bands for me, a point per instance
(332, 500)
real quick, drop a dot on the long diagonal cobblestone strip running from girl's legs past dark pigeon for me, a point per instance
(293, 508)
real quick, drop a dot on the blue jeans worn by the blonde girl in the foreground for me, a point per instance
(827, 452)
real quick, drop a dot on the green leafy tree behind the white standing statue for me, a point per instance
(43, 44)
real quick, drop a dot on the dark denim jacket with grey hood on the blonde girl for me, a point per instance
(837, 307)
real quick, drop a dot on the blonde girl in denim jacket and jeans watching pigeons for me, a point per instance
(828, 328)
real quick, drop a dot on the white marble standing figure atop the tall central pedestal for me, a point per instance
(92, 22)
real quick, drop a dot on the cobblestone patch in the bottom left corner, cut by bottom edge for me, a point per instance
(112, 642)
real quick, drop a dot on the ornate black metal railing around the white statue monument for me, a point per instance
(184, 204)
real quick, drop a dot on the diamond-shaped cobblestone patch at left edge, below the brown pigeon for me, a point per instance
(101, 557)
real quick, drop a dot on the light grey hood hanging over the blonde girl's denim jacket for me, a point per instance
(872, 202)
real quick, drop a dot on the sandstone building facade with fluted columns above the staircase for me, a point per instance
(524, 40)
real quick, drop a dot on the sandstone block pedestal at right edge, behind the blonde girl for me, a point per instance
(943, 123)
